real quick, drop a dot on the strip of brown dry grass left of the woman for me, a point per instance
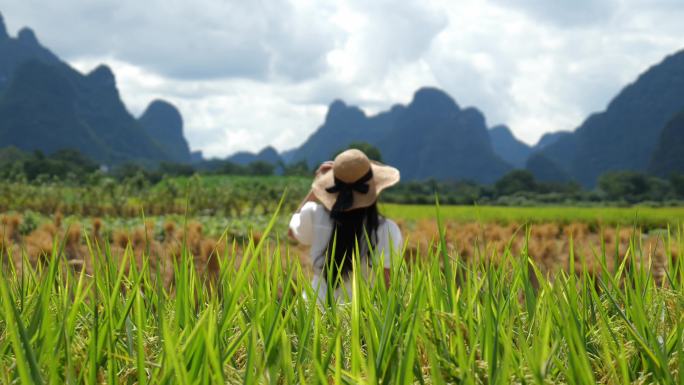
(163, 246)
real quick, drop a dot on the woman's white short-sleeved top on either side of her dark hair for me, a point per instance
(313, 226)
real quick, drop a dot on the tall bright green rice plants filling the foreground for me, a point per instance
(492, 320)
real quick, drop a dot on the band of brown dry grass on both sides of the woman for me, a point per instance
(551, 245)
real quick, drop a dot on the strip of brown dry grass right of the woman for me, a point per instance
(551, 245)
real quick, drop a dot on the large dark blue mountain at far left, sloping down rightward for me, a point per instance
(47, 105)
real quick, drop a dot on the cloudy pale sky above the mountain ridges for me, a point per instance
(247, 74)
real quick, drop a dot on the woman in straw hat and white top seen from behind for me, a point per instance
(339, 213)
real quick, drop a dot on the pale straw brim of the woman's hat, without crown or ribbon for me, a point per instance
(384, 176)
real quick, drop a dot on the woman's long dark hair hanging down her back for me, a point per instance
(349, 228)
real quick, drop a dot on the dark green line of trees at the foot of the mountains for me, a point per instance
(518, 187)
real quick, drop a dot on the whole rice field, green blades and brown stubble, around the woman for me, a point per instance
(482, 296)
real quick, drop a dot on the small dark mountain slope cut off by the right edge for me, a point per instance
(668, 157)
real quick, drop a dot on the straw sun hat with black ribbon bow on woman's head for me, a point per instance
(353, 182)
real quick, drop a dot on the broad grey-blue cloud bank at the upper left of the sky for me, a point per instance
(187, 39)
